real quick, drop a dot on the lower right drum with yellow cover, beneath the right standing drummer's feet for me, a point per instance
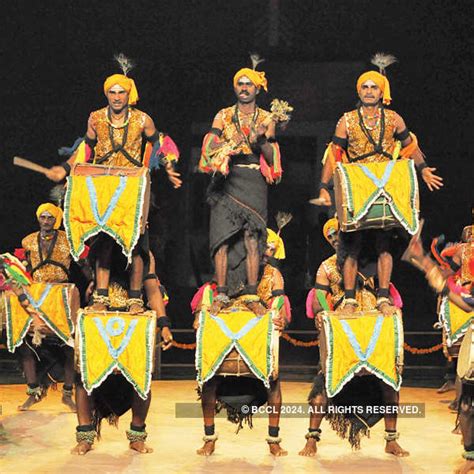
(361, 343)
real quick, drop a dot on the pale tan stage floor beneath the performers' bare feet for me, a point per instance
(40, 440)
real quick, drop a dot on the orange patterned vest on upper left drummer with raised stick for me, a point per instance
(115, 143)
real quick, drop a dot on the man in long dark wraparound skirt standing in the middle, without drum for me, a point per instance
(241, 153)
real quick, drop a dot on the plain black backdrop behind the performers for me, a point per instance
(56, 54)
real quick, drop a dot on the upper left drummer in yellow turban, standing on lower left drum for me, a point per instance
(114, 138)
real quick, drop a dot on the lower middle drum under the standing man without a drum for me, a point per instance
(237, 342)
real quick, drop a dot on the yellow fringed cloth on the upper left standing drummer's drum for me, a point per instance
(110, 204)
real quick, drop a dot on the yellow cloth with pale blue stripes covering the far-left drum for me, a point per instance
(53, 308)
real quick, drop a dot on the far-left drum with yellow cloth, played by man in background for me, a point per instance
(54, 311)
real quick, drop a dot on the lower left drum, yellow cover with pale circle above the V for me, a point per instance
(115, 342)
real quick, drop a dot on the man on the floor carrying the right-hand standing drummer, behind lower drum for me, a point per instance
(329, 284)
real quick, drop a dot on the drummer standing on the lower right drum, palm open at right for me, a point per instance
(369, 134)
